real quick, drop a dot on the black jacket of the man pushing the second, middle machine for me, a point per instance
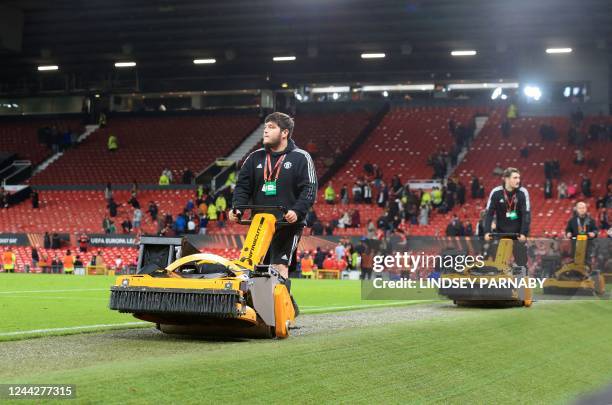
(497, 204)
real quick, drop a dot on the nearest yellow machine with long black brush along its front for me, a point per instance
(237, 303)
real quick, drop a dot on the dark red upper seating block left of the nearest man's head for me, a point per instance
(147, 146)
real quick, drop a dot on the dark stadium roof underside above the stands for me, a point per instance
(327, 38)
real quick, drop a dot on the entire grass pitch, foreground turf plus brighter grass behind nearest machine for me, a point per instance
(431, 352)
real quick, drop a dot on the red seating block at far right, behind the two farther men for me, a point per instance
(549, 215)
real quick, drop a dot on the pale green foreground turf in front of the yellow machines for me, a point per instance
(546, 354)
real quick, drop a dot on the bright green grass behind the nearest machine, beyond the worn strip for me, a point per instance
(47, 301)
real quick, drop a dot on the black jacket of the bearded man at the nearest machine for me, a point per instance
(296, 186)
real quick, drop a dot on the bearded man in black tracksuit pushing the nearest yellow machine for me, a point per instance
(279, 174)
